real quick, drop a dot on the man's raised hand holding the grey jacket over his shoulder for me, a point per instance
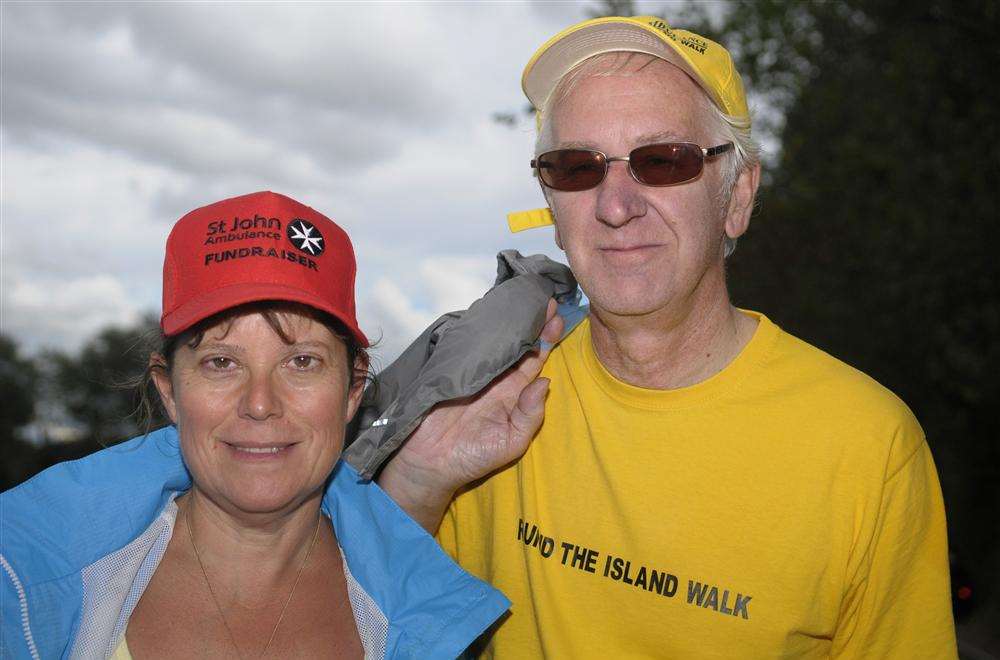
(463, 440)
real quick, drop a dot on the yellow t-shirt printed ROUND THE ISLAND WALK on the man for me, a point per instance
(786, 507)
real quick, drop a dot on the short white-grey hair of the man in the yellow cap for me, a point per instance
(720, 126)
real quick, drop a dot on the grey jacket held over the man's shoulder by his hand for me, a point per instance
(460, 354)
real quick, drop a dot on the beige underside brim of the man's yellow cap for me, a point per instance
(568, 49)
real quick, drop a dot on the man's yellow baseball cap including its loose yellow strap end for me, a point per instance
(708, 63)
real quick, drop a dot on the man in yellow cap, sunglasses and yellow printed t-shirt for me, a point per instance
(704, 484)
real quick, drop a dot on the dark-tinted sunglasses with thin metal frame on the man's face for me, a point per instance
(663, 164)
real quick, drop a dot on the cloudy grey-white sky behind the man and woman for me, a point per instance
(119, 118)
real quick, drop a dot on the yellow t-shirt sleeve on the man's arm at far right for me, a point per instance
(898, 602)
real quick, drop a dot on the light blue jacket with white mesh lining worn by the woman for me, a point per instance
(80, 541)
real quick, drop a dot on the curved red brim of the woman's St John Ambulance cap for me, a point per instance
(223, 298)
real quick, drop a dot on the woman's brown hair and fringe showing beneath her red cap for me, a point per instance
(150, 404)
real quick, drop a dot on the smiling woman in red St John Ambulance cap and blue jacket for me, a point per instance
(236, 532)
